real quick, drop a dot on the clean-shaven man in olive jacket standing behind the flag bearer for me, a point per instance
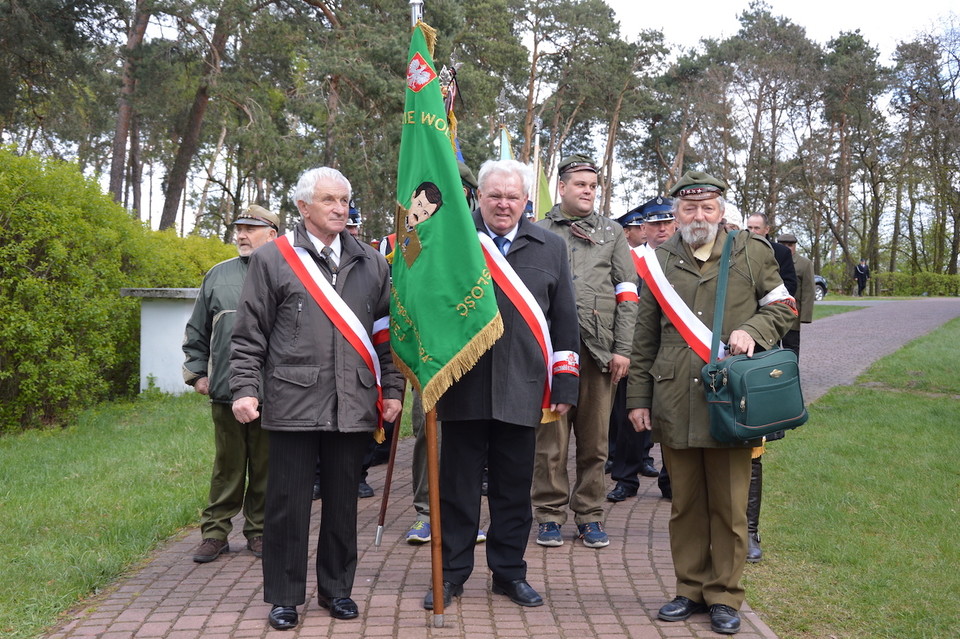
(605, 284)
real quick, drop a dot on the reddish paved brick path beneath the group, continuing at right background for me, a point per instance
(609, 593)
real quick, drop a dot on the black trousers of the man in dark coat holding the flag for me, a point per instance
(464, 446)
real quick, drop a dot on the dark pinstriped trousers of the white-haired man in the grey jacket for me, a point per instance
(286, 533)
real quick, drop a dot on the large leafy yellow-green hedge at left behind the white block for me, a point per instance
(67, 338)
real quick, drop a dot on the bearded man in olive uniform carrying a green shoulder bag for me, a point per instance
(708, 523)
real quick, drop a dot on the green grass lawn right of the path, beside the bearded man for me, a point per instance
(860, 518)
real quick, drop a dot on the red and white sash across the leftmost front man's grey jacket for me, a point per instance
(337, 311)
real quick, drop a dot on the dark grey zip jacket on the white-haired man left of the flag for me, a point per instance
(313, 379)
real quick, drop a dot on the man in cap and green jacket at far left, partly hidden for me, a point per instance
(239, 478)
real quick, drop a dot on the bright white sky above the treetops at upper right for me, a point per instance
(881, 24)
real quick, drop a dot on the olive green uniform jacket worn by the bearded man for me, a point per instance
(664, 372)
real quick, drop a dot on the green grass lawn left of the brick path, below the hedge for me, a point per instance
(79, 506)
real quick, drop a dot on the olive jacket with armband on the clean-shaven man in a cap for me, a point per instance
(598, 265)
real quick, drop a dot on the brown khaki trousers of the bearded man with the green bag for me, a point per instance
(708, 522)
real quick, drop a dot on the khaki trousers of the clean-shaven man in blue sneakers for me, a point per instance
(589, 422)
